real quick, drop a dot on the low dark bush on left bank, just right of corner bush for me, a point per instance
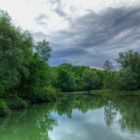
(16, 102)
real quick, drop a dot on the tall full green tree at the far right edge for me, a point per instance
(130, 70)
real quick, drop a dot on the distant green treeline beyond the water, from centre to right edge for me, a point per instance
(79, 78)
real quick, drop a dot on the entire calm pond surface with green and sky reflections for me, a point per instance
(76, 117)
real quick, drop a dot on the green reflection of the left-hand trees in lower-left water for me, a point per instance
(30, 124)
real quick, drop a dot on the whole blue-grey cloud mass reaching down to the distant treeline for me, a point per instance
(93, 38)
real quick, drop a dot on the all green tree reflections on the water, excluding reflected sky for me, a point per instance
(36, 122)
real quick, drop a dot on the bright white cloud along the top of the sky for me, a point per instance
(24, 11)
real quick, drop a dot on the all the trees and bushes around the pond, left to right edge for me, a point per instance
(26, 77)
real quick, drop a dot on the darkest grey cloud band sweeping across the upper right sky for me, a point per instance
(99, 29)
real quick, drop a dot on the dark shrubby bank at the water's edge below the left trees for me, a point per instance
(8, 104)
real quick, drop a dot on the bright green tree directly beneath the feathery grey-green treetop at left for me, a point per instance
(39, 74)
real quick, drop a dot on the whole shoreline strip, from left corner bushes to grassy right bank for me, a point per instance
(7, 105)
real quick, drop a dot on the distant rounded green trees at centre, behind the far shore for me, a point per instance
(77, 78)
